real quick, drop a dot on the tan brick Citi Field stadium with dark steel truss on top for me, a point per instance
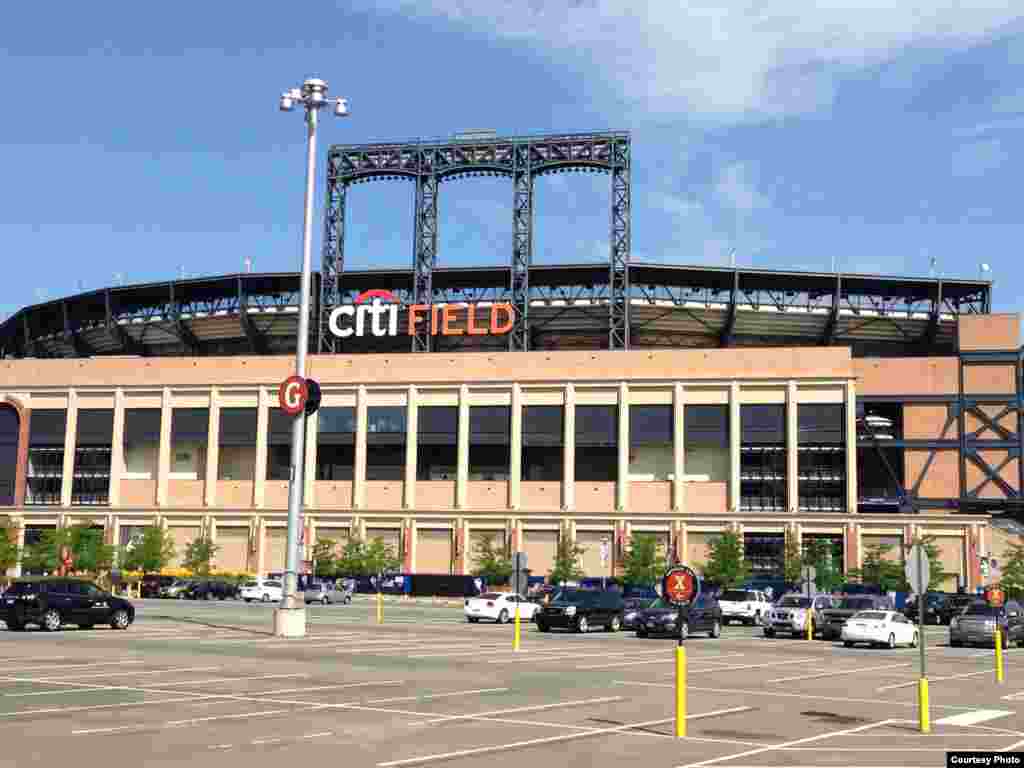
(536, 404)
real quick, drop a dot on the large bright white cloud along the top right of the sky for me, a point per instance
(728, 60)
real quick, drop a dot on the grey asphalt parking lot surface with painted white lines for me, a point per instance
(207, 685)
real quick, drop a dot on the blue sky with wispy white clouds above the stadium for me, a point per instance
(143, 142)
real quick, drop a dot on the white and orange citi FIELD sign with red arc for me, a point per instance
(378, 312)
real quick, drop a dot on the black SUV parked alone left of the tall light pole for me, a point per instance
(51, 604)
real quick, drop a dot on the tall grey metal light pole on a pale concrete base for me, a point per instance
(290, 619)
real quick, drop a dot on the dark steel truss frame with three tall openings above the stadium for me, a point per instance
(428, 164)
